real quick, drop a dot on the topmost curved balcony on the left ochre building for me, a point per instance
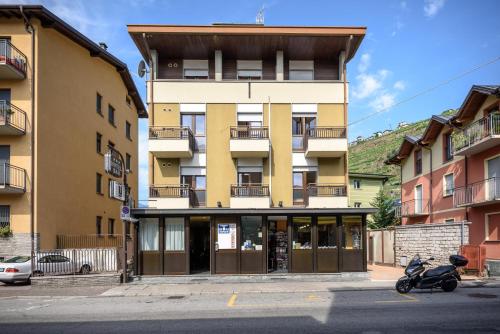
(12, 61)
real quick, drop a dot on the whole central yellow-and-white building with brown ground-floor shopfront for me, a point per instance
(248, 150)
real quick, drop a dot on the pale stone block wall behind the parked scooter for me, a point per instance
(436, 240)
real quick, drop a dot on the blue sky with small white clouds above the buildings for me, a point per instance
(419, 57)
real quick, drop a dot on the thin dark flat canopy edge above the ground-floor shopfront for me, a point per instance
(151, 212)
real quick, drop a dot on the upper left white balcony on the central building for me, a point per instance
(171, 142)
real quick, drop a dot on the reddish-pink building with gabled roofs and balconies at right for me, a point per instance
(451, 173)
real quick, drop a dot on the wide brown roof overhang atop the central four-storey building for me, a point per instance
(245, 41)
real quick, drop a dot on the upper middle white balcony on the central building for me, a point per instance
(249, 142)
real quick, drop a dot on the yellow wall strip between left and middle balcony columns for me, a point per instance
(221, 168)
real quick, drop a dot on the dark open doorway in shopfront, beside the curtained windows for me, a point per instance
(199, 246)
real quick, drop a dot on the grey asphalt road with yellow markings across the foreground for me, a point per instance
(472, 310)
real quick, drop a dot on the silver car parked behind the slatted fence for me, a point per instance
(56, 264)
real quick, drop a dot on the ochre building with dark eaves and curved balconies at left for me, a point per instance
(63, 99)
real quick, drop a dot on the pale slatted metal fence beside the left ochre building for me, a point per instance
(76, 261)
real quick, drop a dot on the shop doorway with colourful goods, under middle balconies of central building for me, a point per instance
(277, 255)
